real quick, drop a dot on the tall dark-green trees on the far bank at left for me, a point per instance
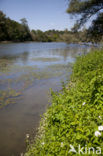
(11, 30)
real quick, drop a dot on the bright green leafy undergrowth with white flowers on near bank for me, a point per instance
(75, 114)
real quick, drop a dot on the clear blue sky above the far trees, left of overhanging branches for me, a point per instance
(40, 14)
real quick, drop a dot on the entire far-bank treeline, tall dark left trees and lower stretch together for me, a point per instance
(11, 30)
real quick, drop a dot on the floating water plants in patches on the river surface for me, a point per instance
(15, 78)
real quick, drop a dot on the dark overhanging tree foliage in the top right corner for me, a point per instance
(84, 10)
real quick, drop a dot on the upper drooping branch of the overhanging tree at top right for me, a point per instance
(85, 9)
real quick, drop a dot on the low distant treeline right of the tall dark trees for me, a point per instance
(59, 36)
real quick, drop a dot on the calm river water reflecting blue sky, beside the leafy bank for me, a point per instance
(27, 72)
